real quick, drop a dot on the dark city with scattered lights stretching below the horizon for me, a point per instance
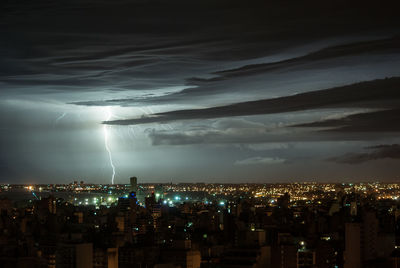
(286, 225)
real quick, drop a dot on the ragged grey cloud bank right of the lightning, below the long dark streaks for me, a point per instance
(243, 132)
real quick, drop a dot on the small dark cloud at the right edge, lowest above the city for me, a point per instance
(376, 152)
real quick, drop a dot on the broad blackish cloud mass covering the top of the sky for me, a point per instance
(130, 45)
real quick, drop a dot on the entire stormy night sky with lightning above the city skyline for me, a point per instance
(199, 91)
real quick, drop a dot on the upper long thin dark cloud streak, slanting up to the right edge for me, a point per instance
(204, 87)
